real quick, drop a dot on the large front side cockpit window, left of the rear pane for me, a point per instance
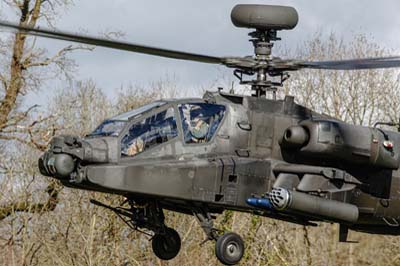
(149, 132)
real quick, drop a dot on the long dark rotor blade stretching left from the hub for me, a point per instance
(131, 47)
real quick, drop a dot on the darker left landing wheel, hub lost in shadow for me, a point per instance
(166, 246)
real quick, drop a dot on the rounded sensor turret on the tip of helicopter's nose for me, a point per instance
(56, 165)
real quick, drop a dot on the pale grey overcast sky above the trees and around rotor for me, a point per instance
(204, 27)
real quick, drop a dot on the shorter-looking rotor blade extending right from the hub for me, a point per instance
(354, 64)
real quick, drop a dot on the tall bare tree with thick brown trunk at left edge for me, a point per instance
(25, 67)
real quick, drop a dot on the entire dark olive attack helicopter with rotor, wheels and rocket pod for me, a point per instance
(268, 157)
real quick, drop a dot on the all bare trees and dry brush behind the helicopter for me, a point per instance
(42, 223)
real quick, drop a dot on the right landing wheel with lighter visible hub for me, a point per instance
(229, 248)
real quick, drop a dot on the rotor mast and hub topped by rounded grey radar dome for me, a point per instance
(267, 20)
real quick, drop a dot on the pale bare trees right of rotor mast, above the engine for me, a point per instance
(360, 97)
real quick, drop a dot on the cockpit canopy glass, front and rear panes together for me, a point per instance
(144, 128)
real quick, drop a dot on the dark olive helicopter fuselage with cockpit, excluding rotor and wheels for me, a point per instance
(223, 149)
